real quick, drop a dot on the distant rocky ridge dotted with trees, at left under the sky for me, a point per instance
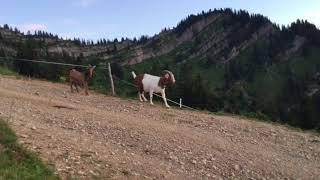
(13, 43)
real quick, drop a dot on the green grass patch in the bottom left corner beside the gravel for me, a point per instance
(16, 162)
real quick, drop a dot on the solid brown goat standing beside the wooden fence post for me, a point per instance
(81, 78)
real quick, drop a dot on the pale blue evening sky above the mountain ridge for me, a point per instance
(95, 19)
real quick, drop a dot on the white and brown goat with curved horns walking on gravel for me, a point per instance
(153, 84)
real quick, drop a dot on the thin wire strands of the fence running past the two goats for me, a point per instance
(77, 65)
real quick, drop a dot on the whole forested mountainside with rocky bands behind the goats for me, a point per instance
(223, 60)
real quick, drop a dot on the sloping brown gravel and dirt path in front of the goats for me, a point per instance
(106, 137)
